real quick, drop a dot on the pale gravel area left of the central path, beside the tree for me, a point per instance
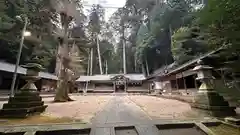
(83, 108)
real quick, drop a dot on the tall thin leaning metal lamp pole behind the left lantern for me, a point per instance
(18, 58)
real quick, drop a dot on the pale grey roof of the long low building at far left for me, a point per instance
(7, 67)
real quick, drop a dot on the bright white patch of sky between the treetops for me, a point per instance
(105, 3)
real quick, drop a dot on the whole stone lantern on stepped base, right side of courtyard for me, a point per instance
(207, 100)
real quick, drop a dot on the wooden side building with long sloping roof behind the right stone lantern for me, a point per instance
(181, 79)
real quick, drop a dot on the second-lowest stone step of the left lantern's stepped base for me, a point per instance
(22, 104)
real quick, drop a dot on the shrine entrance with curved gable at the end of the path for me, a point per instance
(120, 83)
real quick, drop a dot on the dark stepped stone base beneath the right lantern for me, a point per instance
(211, 103)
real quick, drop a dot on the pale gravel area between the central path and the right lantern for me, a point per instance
(160, 108)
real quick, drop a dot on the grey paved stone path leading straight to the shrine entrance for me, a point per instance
(121, 110)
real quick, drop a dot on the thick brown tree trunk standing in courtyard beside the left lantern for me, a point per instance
(63, 87)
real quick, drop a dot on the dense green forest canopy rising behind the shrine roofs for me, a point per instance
(174, 31)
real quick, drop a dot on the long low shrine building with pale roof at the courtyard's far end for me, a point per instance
(113, 83)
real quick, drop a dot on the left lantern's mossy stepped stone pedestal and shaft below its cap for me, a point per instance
(26, 102)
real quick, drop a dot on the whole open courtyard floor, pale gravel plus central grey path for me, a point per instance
(106, 109)
